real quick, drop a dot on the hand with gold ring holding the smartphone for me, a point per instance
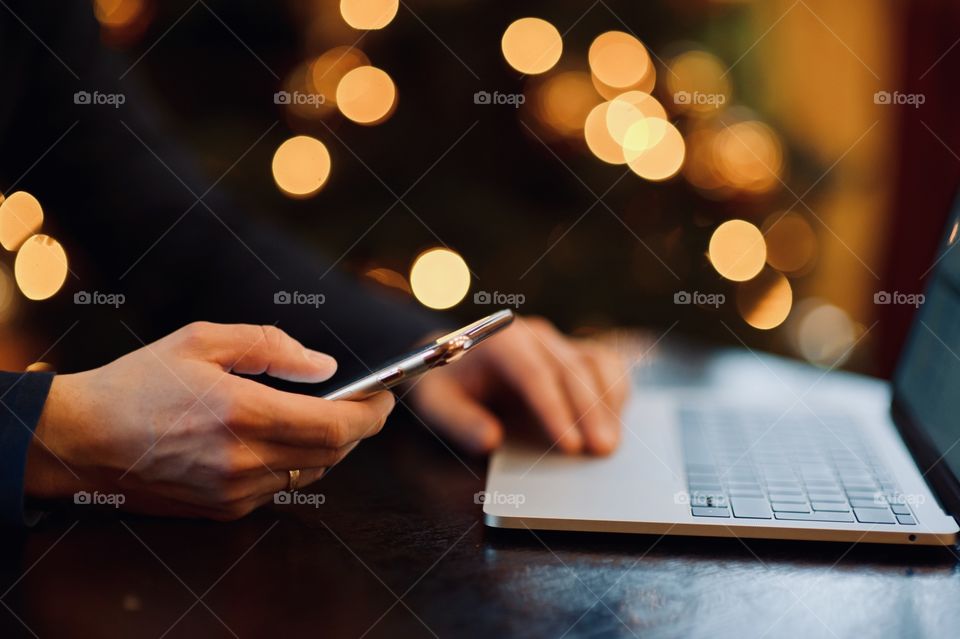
(176, 432)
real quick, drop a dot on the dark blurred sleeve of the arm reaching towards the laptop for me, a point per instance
(139, 217)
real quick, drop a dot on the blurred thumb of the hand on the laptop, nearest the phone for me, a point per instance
(443, 401)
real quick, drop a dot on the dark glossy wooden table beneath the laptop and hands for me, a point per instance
(399, 549)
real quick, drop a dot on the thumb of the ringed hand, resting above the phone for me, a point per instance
(252, 350)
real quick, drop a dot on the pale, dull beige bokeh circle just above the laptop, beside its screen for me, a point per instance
(825, 334)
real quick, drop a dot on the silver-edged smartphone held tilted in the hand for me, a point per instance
(448, 348)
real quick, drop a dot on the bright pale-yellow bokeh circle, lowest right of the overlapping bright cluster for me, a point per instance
(654, 149)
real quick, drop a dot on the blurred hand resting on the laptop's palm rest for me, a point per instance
(574, 388)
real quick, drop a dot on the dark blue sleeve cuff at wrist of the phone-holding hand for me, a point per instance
(22, 396)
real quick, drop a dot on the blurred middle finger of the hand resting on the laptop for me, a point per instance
(583, 392)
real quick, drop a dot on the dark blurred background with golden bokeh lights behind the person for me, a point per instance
(754, 172)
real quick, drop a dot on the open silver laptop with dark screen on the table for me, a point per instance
(733, 443)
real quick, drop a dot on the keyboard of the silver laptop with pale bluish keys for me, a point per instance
(755, 464)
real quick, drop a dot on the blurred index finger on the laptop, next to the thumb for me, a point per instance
(536, 380)
